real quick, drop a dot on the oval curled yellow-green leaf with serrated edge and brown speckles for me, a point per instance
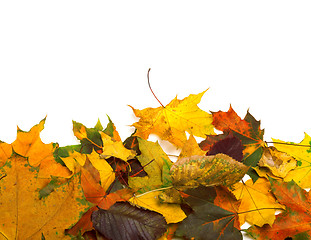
(219, 169)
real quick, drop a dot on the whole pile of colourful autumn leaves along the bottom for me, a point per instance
(104, 188)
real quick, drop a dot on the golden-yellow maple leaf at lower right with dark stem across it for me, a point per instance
(258, 205)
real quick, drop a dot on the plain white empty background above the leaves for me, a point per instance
(81, 60)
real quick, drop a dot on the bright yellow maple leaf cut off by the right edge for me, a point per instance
(302, 173)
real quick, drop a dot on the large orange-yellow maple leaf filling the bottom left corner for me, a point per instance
(24, 215)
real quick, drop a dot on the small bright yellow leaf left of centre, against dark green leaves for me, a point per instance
(115, 148)
